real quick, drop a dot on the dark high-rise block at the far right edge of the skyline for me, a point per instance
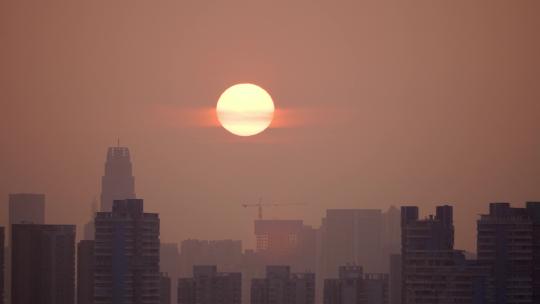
(508, 242)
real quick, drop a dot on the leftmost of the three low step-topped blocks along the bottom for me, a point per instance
(207, 286)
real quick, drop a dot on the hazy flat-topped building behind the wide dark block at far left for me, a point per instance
(24, 208)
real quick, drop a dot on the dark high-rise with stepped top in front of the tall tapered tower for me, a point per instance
(127, 255)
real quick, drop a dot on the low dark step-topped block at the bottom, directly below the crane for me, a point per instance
(280, 286)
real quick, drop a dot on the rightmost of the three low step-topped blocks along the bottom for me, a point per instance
(355, 287)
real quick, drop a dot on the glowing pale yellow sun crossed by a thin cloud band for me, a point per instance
(245, 109)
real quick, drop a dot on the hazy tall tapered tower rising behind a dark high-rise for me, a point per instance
(118, 182)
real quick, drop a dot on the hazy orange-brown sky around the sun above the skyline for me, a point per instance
(378, 103)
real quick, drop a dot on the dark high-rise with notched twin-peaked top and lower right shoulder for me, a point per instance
(432, 271)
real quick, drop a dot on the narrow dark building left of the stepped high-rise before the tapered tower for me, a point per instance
(85, 272)
